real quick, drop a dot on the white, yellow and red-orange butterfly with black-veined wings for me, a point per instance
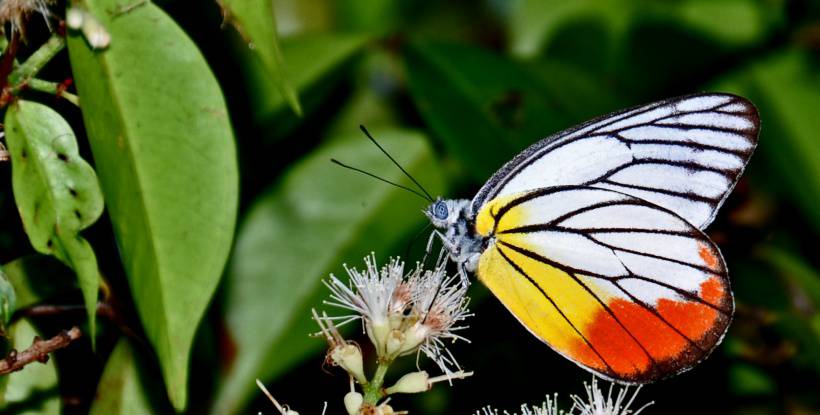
(593, 237)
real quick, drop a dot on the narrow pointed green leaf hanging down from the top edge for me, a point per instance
(255, 22)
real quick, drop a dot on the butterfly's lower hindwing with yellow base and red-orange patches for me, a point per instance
(624, 288)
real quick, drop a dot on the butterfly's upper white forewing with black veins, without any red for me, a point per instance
(684, 154)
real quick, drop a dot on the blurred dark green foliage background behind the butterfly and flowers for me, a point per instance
(453, 90)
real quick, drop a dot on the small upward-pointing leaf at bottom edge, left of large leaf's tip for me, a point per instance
(124, 388)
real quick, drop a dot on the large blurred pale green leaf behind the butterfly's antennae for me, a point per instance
(315, 219)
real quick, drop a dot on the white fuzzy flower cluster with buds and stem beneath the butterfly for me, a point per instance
(402, 313)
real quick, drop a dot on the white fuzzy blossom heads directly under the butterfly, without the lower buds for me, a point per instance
(403, 313)
